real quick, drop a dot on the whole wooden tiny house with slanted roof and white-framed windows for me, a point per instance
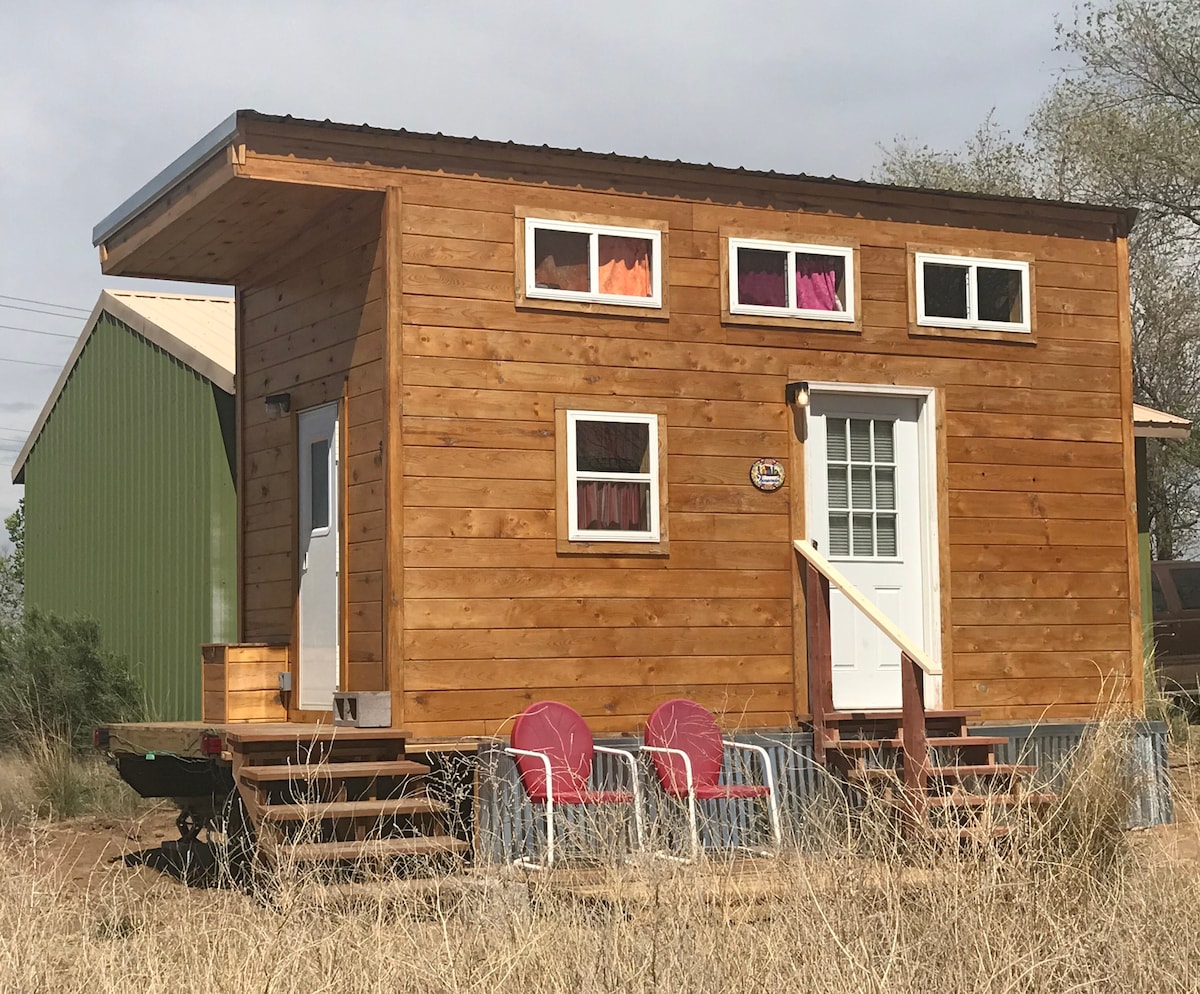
(519, 423)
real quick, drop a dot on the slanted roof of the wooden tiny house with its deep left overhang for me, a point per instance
(256, 182)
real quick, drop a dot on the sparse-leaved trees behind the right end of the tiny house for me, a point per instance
(1121, 128)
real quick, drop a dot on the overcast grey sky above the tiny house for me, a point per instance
(98, 98)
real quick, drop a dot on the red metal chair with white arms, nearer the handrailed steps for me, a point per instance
(689, 753)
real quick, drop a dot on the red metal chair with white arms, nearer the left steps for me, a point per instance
(554, 751)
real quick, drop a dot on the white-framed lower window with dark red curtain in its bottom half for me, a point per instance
(613, 477)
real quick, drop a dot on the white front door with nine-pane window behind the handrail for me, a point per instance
(866, 484)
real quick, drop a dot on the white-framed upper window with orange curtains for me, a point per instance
(593, 264)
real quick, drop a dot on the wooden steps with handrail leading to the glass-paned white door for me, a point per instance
(926, 764)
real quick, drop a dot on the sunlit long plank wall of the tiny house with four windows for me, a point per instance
(496, 619)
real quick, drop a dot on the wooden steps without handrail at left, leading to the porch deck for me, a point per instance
(329, 795)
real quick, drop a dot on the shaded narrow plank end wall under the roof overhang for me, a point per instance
(314, 328)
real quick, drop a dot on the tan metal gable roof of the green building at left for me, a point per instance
(197, 331)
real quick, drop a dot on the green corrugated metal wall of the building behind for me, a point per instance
(130, 512)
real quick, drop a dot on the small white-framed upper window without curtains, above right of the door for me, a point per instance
(973, 294)
